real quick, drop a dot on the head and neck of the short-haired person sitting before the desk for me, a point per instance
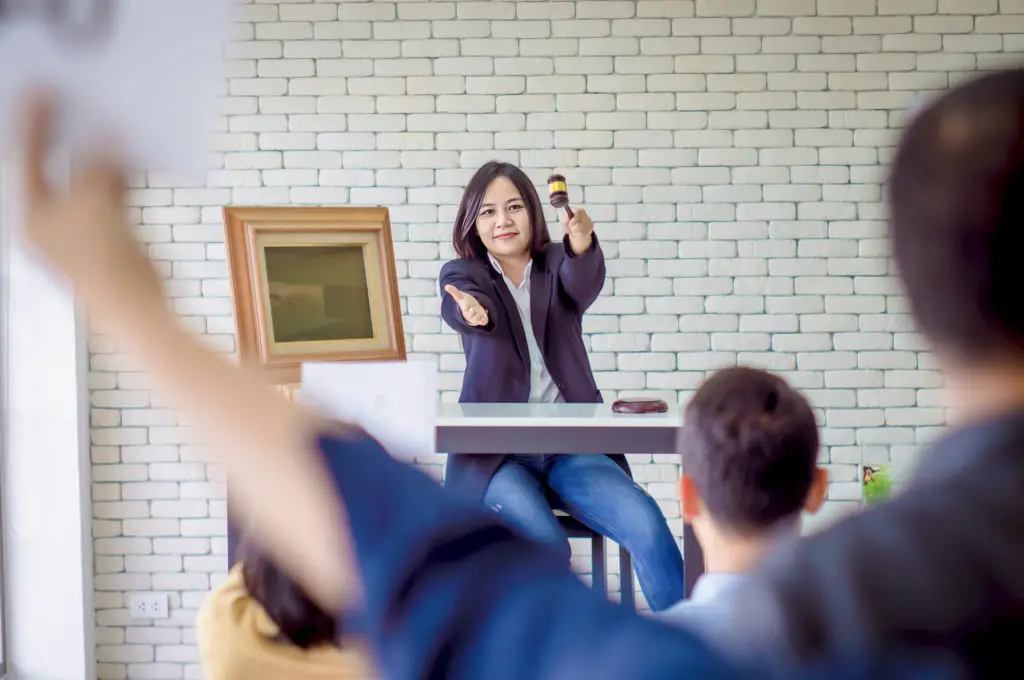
(750, 450)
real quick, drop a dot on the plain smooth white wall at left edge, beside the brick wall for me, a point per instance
(49, 585)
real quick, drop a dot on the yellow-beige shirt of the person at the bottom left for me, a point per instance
(237, 643)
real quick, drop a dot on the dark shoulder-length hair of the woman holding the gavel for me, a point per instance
(466, 241)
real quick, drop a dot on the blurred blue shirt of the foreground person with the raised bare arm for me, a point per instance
(453, 592)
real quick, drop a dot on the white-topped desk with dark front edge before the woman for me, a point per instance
(565, 429)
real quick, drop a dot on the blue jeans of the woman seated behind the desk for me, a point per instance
(594, 490)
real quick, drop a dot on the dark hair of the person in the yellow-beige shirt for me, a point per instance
(301, 621)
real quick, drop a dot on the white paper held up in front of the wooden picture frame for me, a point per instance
(396, 402)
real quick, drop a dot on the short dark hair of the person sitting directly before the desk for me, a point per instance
(750, 444)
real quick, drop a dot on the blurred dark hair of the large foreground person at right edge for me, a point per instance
(957, 195)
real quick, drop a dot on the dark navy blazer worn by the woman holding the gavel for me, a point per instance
(563, 288)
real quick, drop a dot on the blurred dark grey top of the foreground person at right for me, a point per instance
(887, 580)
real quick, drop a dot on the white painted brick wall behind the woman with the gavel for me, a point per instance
(730, 151)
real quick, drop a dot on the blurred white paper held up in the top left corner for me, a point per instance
(142, 73)
